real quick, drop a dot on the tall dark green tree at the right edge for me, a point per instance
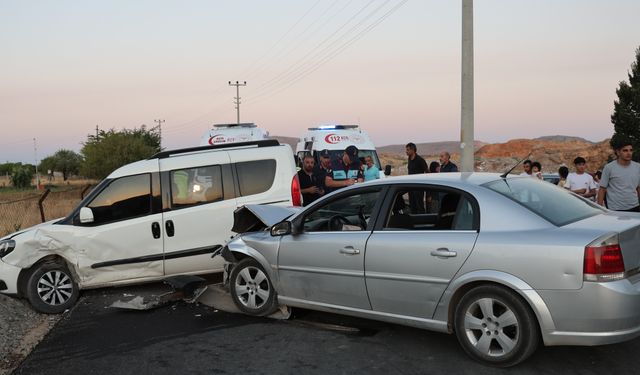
(626, 109)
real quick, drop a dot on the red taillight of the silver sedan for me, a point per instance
(603, 260)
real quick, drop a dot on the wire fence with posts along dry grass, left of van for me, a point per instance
(21, 211)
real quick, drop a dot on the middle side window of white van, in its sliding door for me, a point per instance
(193, 186)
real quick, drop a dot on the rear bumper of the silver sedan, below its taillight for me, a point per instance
(598, 314)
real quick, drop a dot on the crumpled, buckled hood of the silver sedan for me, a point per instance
(256, 217)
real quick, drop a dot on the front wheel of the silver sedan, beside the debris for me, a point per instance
(251, 289)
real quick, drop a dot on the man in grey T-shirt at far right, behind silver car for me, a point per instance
(620, 182)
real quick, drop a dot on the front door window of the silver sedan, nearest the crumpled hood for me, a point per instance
(347, 213)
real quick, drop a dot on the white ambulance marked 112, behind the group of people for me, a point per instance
(336, 138)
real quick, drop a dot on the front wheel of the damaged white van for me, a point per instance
(51, 288)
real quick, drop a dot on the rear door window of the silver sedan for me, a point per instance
(429, 209)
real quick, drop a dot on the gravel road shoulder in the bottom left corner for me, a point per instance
(21, 329)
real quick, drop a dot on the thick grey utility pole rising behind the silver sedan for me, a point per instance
(466, 110)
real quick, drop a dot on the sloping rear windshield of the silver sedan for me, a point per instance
(553, 203)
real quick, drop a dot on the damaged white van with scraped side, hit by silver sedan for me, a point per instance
(147, 220)
